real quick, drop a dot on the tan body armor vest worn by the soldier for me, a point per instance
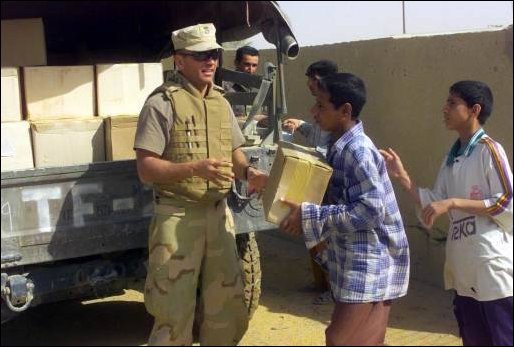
(201, 129)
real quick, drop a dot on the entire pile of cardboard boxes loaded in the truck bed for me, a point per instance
(65, 106)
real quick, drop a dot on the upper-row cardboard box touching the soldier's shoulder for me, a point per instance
(122, 89)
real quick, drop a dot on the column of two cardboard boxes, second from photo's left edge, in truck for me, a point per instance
(60, 107)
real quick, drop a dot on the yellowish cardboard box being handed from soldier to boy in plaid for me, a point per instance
(299, 174)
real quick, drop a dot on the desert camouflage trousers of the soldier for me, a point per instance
(194, 271)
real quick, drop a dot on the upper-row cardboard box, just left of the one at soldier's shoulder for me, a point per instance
(57, 92)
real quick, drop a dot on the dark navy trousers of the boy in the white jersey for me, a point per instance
(484, 323)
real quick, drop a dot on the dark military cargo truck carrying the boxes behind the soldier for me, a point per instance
(81, 231)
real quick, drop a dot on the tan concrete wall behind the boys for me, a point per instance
(407, 81)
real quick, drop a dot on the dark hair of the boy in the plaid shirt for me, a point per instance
(345, 88)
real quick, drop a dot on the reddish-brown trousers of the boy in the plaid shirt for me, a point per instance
(358, 324)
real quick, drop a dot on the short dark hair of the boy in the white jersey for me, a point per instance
(475, 92)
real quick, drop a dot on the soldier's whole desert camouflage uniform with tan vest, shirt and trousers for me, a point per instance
(194, 277)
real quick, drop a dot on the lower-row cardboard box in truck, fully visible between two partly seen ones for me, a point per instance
(68, 142)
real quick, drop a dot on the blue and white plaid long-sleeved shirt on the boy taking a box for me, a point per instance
(368, 252)
